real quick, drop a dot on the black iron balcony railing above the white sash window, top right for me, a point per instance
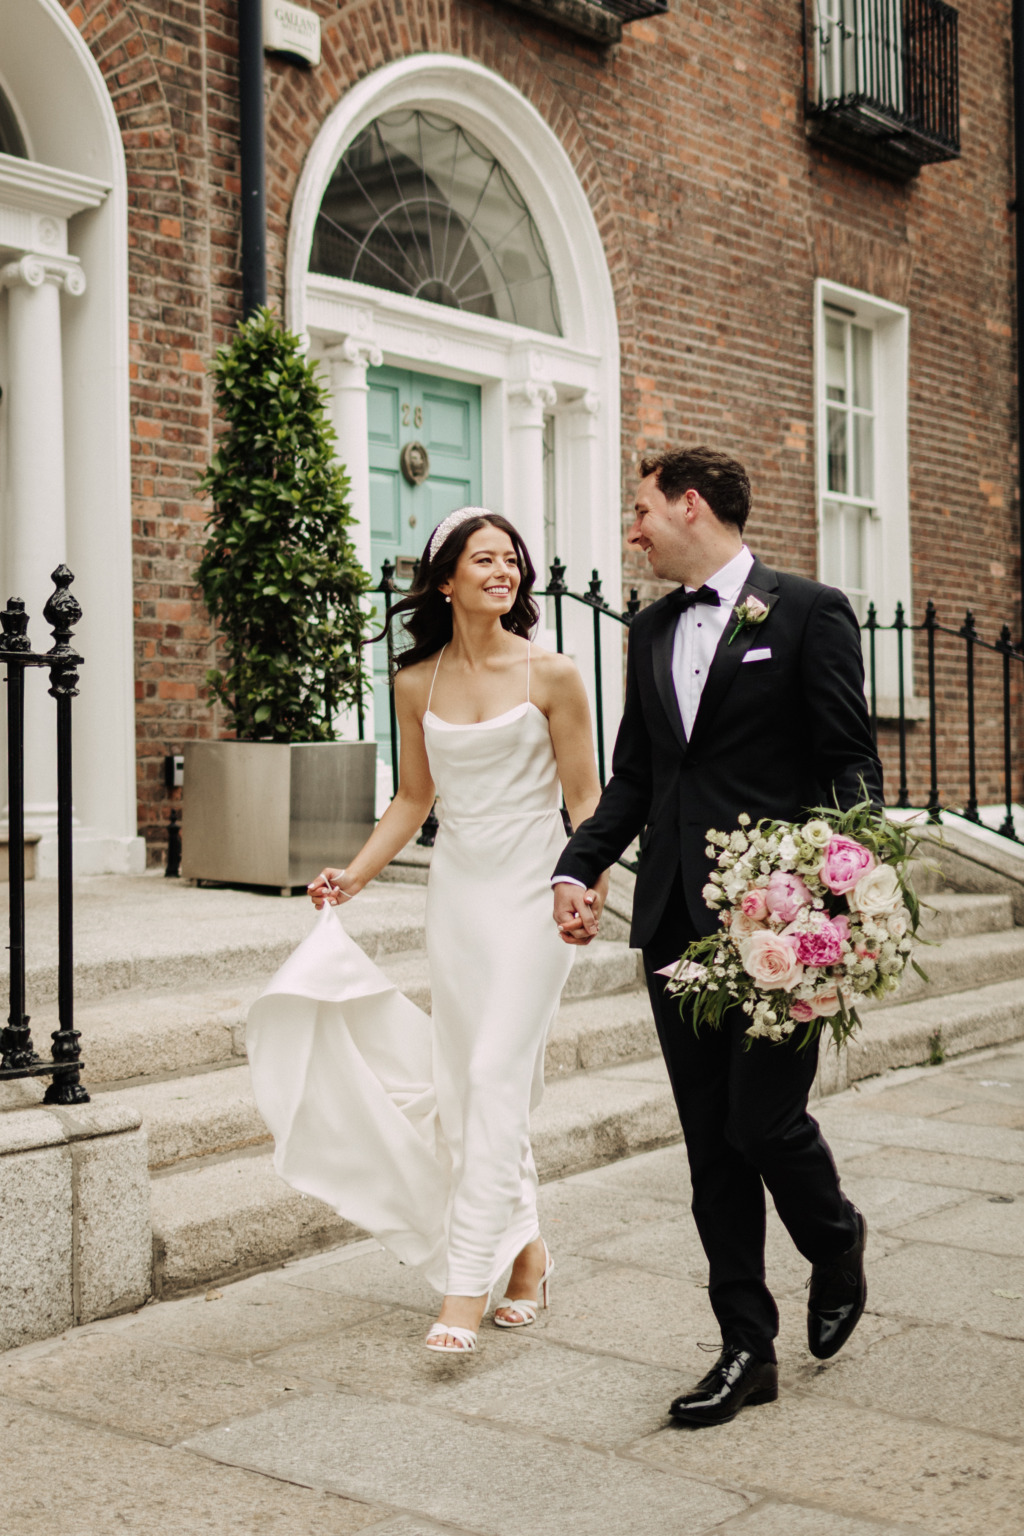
(884, 81)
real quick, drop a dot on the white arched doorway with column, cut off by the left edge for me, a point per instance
(65, 478)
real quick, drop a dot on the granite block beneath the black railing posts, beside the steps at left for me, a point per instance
(76, 1240)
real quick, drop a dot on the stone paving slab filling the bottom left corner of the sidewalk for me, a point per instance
(74, 1480)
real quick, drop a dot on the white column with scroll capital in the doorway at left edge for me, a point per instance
(38, 534)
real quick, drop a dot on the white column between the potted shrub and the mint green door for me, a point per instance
(348, 366)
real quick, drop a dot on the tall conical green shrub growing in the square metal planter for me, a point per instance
(280, 574)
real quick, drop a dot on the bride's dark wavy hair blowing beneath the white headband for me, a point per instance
(424, 614)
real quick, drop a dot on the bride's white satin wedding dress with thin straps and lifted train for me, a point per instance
(418, 1128)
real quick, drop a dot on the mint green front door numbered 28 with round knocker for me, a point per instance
(444, 419)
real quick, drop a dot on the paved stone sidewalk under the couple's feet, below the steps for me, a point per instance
(302, 1403)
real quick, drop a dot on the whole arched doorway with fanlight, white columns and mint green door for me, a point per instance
(440, 233)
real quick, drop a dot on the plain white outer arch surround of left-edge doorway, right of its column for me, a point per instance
(64, 104)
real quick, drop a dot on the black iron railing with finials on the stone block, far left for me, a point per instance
(18, 1054)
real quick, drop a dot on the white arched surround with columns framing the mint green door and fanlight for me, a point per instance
(523, 372)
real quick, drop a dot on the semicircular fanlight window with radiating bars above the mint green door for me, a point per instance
(420, 207)
